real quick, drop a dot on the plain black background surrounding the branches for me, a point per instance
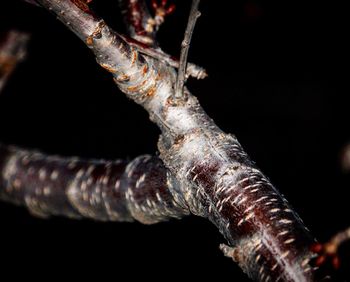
(278, 79)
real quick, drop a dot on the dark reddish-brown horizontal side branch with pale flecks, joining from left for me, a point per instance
(97, 189)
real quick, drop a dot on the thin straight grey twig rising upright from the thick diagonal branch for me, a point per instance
(185, 45)
